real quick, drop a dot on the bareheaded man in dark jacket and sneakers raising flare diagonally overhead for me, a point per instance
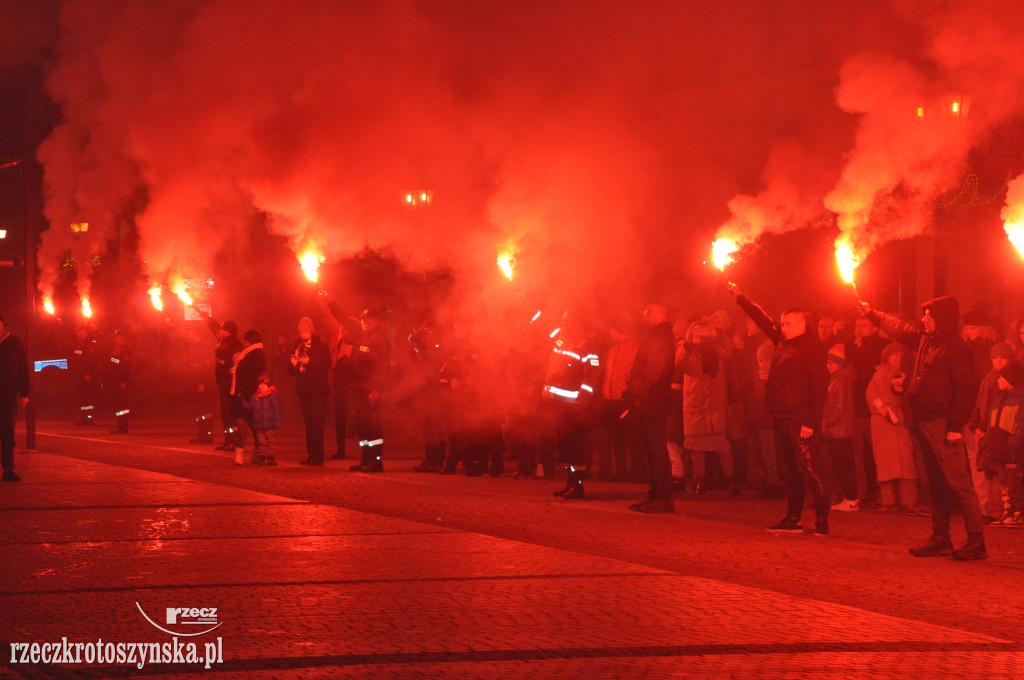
(798, 384)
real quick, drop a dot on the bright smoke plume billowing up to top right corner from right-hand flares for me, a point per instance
(921, 107)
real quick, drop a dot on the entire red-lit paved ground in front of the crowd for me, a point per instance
(326, 574)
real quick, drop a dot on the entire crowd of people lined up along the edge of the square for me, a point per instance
(879, 412)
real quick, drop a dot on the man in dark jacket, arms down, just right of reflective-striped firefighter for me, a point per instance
(650, 394)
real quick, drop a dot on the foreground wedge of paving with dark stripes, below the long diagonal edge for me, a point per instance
(315, 591)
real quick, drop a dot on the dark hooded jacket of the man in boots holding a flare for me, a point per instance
(944, 385)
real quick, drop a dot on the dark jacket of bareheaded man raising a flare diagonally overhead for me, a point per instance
(798, 380)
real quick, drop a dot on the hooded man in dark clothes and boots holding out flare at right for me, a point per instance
(942, 395)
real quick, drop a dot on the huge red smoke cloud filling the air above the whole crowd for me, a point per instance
(601, 142)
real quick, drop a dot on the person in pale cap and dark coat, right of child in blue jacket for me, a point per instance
(310, 363)
